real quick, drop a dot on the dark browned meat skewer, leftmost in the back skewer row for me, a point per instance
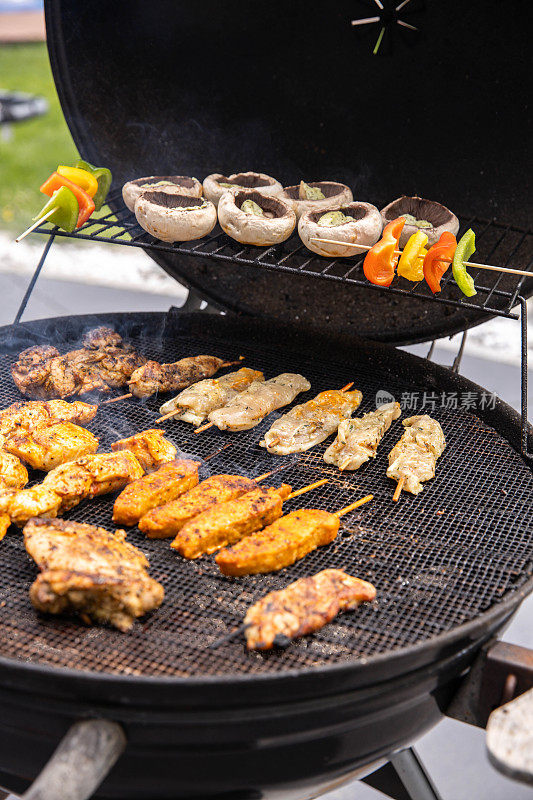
(155, 377)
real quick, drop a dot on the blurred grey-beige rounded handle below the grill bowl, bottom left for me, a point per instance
(80, 763)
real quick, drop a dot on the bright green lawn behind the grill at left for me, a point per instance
(37, 146)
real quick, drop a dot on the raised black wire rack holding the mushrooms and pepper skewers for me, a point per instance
(498, 244)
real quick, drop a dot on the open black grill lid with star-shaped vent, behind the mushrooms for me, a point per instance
(294, 90)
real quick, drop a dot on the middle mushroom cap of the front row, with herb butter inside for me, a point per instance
(275, 224)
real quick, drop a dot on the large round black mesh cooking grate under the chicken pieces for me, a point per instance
(437, 560)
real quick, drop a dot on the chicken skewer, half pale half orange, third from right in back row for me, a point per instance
(310, 423)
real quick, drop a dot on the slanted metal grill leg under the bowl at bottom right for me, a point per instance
(404, 778)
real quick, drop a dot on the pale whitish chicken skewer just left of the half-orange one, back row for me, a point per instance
(251, 406)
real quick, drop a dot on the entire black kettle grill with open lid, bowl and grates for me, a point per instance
(294, 90)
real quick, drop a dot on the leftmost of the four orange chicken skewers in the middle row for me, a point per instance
(165, 484)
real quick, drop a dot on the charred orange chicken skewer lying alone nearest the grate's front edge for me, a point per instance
(303, 607)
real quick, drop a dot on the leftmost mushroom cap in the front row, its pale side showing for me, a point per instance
(175, 217)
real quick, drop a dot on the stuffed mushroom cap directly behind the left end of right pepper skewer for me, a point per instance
(364, 226)
